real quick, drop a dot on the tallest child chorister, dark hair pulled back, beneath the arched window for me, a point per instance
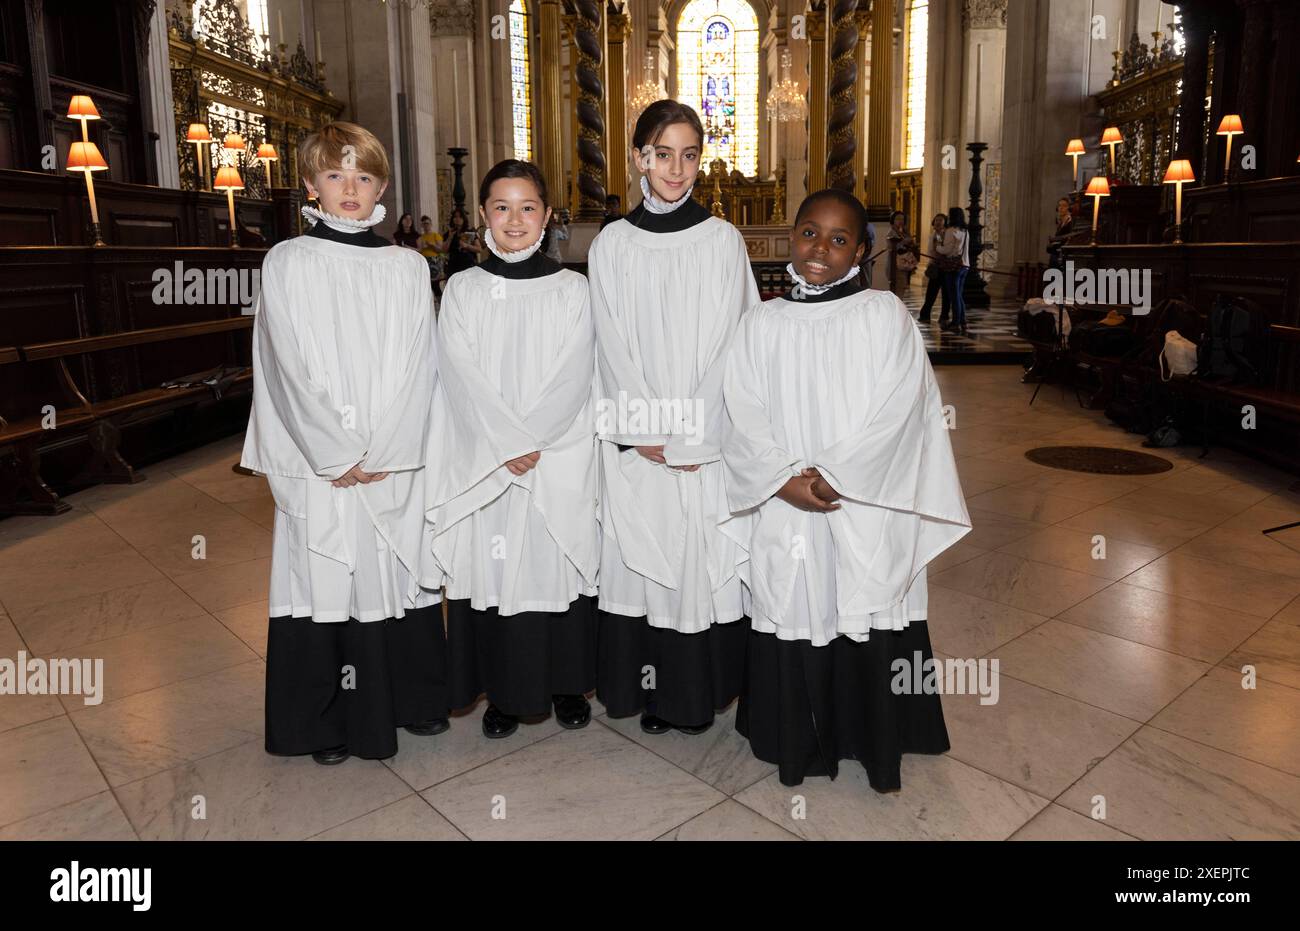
(669, 285)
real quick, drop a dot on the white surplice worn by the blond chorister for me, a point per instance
(344, 374)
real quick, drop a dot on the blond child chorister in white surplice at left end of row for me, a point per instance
(344, 362)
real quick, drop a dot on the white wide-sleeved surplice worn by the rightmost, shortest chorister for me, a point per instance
(846, 387)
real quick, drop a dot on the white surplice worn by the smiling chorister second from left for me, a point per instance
(517, 361)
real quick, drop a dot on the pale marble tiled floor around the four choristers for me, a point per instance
(1121, 713)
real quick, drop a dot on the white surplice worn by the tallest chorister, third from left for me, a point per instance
(666, 306)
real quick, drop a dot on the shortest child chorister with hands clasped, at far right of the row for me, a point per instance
(837, 448)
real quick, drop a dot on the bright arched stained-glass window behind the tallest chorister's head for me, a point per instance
(718, 76)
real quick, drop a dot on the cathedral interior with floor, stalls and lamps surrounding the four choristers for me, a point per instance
(1106, 141)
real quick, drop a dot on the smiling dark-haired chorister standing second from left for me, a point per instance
(513, 473)
